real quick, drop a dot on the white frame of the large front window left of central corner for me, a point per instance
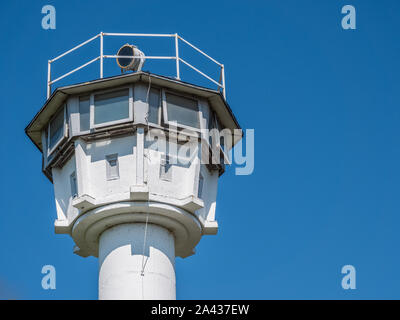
(94, 126)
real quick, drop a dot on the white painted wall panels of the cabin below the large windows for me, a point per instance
(92, 180)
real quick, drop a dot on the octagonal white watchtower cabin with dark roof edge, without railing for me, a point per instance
(135, 137)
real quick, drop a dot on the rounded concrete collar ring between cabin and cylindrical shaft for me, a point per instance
(185, 226)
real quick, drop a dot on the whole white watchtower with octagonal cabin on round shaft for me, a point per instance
(135, 171)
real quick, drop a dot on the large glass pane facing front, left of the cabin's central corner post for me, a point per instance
(111, 106)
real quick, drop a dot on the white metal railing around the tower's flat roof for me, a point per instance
(102, 56)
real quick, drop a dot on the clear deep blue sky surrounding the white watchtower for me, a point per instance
(324, 103)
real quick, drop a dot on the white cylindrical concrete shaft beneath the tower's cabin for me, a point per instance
(133, 268)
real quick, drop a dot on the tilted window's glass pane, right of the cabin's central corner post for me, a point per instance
(182, 110)
